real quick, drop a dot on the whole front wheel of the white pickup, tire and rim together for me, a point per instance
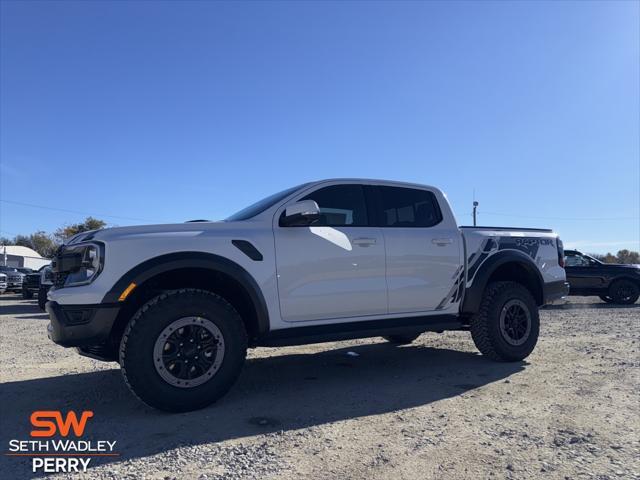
(183, 350)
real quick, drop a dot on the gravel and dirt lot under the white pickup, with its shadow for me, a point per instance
(434, 409)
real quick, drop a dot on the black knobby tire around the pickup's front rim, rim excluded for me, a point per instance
(139, 340)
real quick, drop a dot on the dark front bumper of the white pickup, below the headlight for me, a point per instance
(80, 325)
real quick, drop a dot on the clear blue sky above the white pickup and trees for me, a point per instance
(145, 112)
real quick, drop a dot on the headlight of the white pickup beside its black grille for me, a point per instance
(80, 264)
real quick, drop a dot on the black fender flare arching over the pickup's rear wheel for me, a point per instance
(505, 265)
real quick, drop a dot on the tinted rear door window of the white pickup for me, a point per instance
(406, 207)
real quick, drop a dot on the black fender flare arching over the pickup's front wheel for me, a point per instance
(191, 269)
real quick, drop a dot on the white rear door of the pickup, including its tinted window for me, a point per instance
(424, 270)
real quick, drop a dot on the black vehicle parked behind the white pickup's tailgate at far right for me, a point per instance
(613, 283)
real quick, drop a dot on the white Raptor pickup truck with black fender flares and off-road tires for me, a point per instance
(178, 305)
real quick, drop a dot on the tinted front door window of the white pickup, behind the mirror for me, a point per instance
(340, 206)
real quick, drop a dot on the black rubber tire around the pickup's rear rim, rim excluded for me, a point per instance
(486, 331)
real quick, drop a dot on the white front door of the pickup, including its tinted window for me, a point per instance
(336, 267)
